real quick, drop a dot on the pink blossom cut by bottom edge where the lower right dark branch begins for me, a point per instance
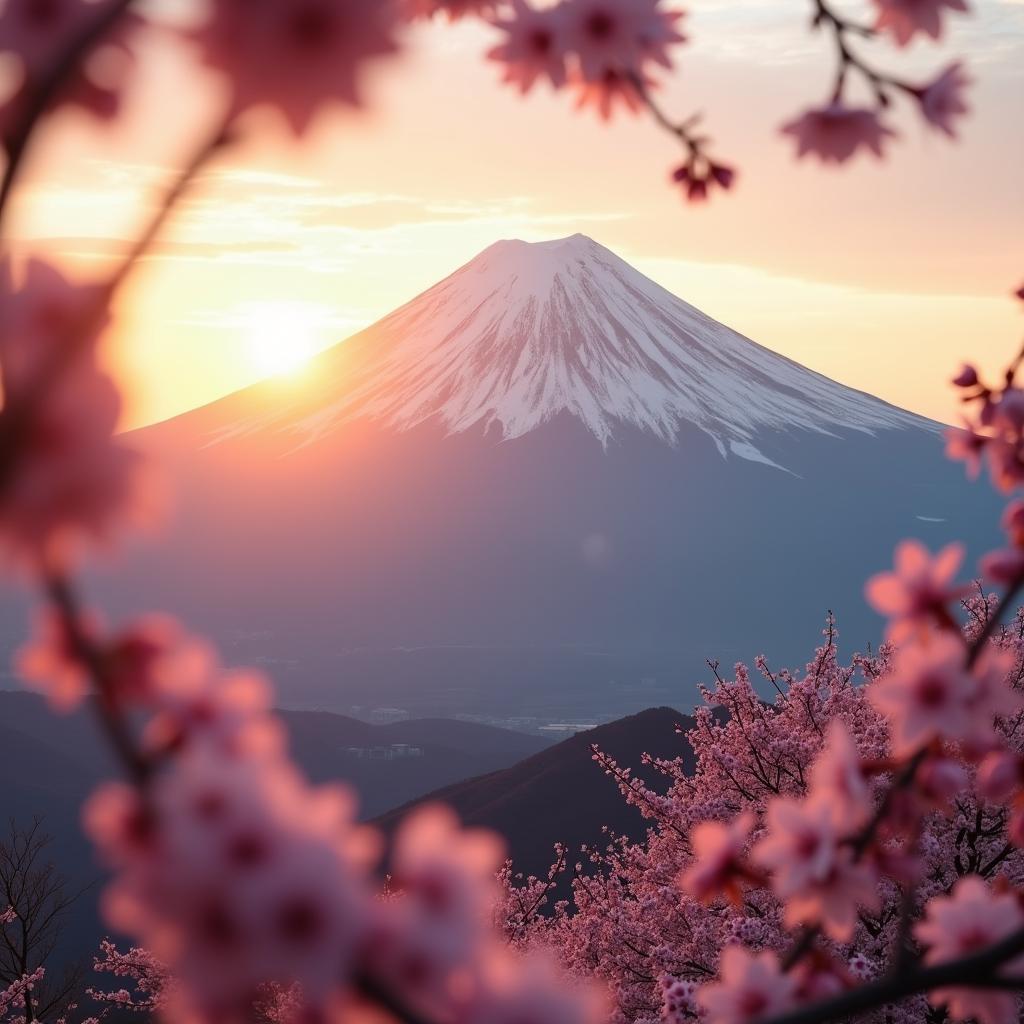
(753, 988)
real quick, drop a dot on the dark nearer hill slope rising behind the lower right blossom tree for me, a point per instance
(561, 795)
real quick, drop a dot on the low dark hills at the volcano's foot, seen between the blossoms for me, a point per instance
(533, 794)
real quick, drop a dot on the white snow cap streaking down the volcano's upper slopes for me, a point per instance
(528, 331)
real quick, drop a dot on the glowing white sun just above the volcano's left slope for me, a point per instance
(280, 338)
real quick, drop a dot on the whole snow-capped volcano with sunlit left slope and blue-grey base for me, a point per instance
(544, 489)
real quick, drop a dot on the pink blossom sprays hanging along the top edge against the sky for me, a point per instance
(298, 57)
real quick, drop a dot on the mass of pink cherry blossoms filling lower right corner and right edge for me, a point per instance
(859, 842)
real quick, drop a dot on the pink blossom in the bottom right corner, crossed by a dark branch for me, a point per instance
(970, 920)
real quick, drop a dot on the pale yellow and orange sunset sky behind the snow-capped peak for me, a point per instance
(884, 276)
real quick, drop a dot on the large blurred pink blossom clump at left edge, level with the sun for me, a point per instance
(73, 480)
